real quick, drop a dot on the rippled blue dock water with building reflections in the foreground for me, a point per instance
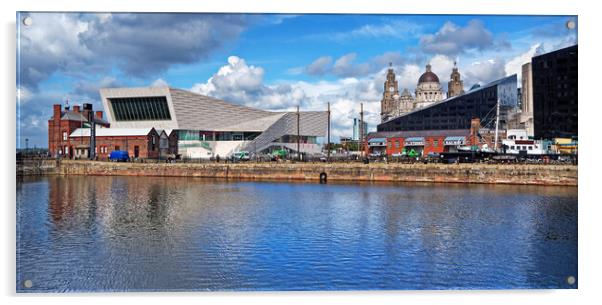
(144, 233)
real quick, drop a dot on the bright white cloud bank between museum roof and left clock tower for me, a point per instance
(240, 83)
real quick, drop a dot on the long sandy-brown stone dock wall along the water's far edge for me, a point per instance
(565, 175)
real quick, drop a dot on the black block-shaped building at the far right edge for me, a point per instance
(555, 94)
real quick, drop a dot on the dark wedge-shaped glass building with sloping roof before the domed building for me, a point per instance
(457, 112)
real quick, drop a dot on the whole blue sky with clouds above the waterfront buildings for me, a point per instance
(270, 61)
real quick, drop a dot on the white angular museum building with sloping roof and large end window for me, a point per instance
(206, 127)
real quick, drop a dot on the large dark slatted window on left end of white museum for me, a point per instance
(140, 108)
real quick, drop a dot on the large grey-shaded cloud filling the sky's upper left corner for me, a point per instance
(84, 44)
